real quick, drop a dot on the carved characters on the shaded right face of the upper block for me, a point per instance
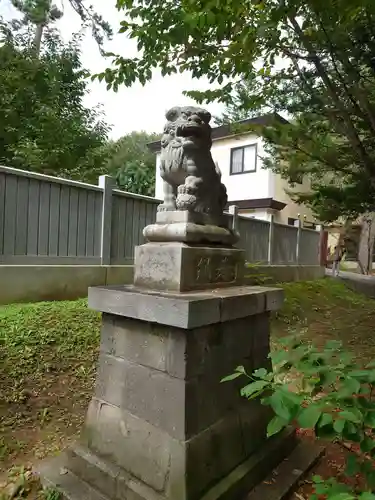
(216, 269)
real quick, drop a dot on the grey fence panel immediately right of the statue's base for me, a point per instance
(254, 238)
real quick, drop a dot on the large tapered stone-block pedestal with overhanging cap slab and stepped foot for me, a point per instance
(161, 426)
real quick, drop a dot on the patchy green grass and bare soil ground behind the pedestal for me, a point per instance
(48, 354)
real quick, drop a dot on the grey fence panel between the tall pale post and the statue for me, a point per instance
(130, 214)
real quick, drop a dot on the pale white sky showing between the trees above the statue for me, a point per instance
(135, 108)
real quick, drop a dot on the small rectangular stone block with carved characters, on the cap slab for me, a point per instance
(180, 267)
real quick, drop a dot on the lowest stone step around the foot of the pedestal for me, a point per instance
(79, 474)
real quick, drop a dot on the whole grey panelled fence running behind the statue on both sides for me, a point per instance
(47, 220)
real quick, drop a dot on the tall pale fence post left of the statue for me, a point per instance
(106, 183)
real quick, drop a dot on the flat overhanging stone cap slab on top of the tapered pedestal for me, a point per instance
(183, 310)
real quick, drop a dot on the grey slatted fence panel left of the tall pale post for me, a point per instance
(48, 220)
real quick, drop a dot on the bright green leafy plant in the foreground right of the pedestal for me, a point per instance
(330, 395)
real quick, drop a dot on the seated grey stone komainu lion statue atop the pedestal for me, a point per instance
(192, 180)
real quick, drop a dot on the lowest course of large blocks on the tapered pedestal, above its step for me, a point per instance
(184, 466)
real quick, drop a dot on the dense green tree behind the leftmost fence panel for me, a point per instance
(45, 126)
